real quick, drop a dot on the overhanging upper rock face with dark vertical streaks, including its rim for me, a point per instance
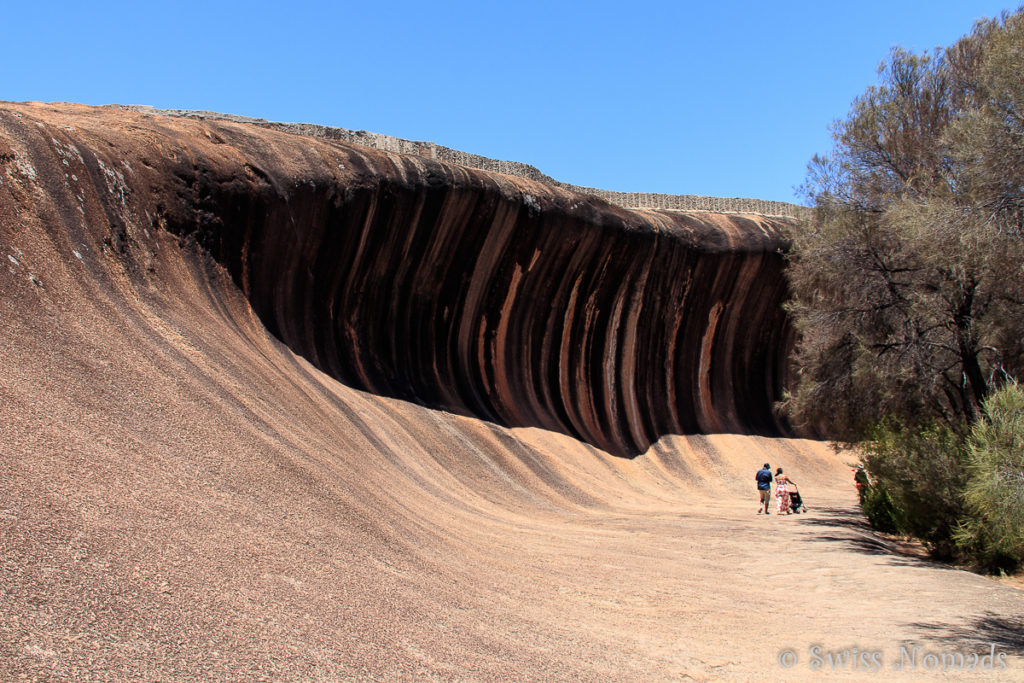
(470, 291)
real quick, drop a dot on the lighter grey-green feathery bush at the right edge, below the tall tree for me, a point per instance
(994, 532)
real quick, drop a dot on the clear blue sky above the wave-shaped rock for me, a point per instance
(728, 99)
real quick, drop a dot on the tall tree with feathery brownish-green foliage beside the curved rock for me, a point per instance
(909, 284)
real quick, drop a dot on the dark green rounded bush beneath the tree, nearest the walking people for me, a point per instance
(918, 478)
